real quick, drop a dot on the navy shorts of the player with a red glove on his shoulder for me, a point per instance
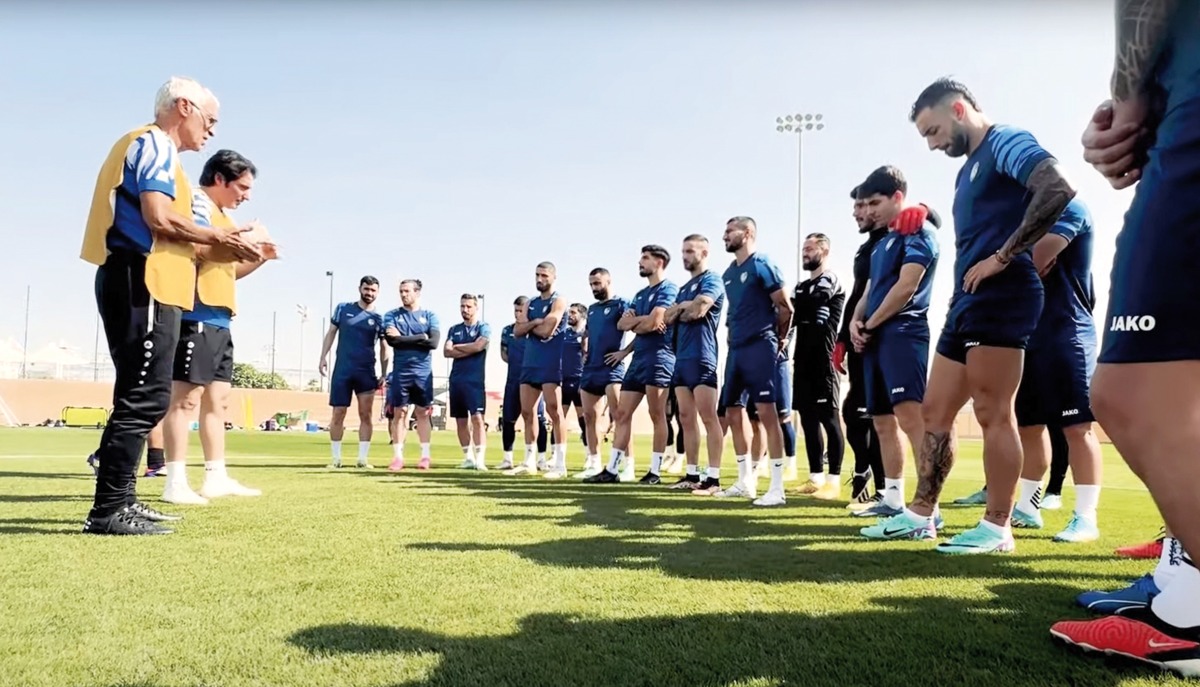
(896, 368)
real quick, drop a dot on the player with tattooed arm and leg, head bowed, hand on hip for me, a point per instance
(1010, 194)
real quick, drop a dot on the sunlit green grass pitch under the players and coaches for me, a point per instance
(476, 580)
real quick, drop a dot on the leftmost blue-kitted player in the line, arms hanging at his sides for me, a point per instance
(358, 330)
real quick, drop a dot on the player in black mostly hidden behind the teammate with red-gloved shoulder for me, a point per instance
(860, 429)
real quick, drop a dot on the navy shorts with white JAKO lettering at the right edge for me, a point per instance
(1155, 282)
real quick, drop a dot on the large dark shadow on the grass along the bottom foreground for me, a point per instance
(897, 641)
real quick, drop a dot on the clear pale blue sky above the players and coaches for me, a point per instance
(464, 142)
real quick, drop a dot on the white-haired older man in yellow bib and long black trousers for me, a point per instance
(142, 237)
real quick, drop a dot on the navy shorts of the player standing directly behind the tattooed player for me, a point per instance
(1057, 384)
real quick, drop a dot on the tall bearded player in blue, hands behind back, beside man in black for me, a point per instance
(760, 319)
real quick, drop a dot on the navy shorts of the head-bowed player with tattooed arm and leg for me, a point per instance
(1001, 315)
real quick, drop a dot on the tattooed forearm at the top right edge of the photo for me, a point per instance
(1141, 32)
